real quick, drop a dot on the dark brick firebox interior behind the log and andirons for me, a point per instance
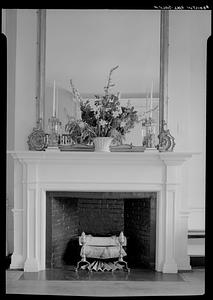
(68, 214)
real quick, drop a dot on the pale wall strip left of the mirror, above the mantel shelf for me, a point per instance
(25, 91)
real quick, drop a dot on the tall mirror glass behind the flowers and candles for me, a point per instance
(83, 45)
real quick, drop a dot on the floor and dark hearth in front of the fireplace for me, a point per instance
(150, 284)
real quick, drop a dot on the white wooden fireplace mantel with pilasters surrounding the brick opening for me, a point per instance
(35, 173)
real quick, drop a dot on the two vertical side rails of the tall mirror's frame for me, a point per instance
(163, 79)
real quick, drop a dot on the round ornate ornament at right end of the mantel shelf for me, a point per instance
(166, 140)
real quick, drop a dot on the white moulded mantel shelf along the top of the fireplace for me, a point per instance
(103, 157)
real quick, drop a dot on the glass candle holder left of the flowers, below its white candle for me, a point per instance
(54, 128)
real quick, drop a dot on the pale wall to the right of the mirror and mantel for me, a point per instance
(188, 35)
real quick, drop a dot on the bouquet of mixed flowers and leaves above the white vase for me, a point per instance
(102, 117)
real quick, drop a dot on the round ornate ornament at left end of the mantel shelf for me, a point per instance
(37, 139)
